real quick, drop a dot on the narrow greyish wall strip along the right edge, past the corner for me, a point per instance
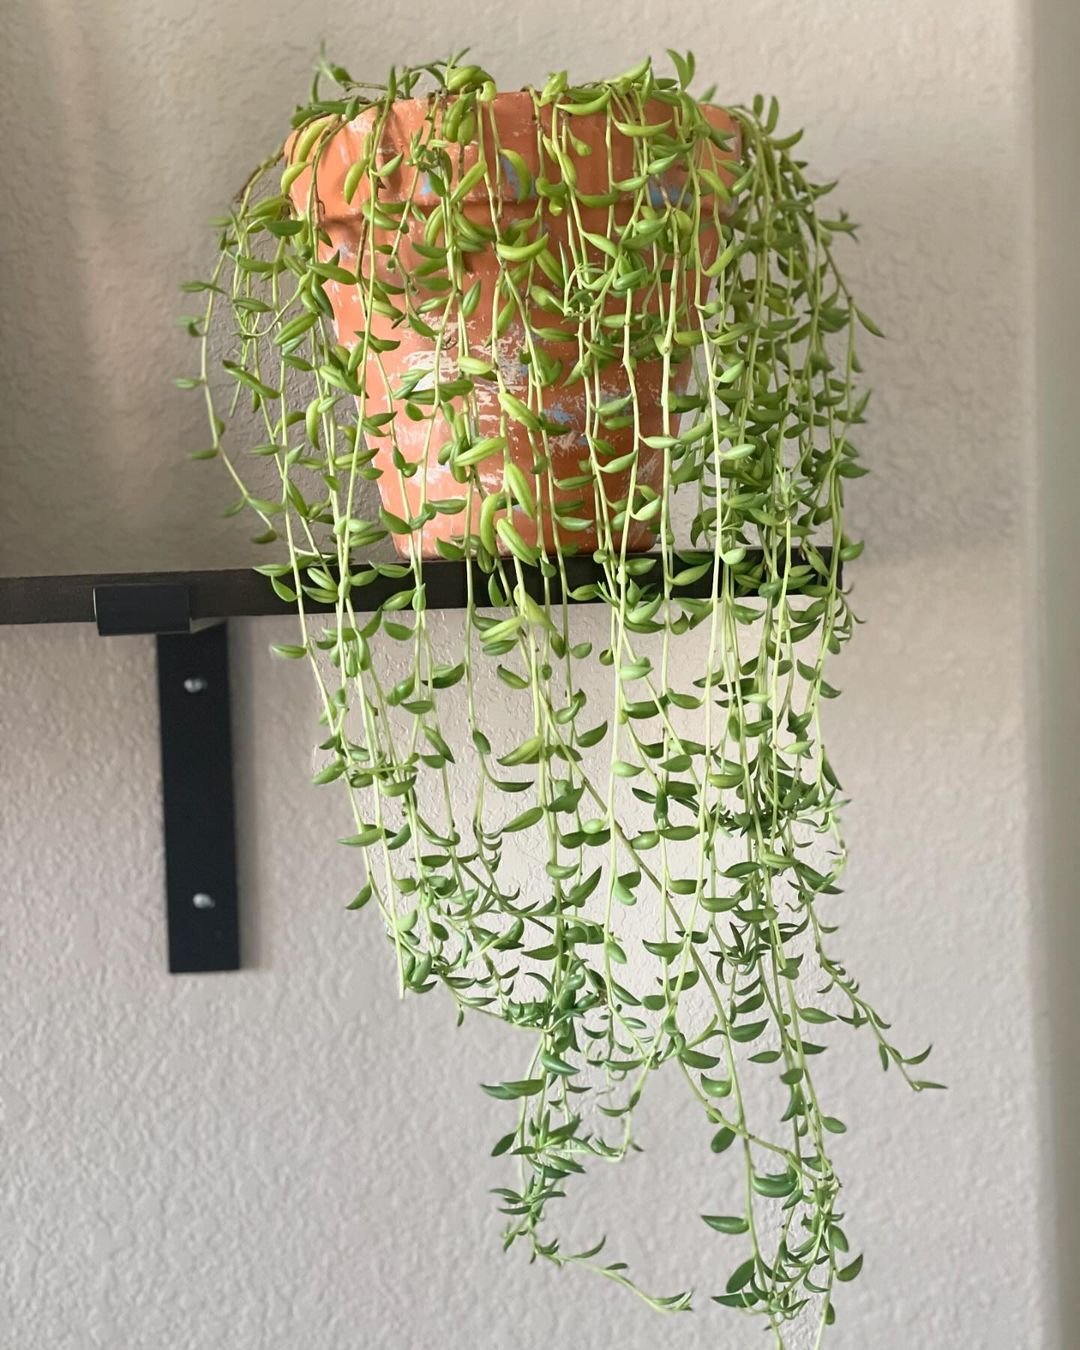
(1056, 628)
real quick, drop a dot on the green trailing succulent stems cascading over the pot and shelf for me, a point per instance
(626, 853)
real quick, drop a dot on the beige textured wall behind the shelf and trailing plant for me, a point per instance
(287, 1158)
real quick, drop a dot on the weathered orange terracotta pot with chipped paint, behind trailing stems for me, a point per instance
(510, 124)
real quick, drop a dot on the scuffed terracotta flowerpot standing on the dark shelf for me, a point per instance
(512, 125)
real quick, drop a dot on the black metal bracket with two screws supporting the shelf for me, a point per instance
(196, 769)
